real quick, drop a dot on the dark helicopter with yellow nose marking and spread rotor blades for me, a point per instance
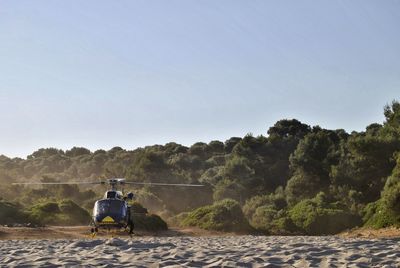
(113, 210)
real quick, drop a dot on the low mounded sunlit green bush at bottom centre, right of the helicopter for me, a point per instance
(225, 215)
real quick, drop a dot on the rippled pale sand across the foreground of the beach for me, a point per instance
(209, 251)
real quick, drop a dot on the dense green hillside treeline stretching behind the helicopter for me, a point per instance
(296, 179)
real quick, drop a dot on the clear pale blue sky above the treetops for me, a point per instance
(100, 74)
